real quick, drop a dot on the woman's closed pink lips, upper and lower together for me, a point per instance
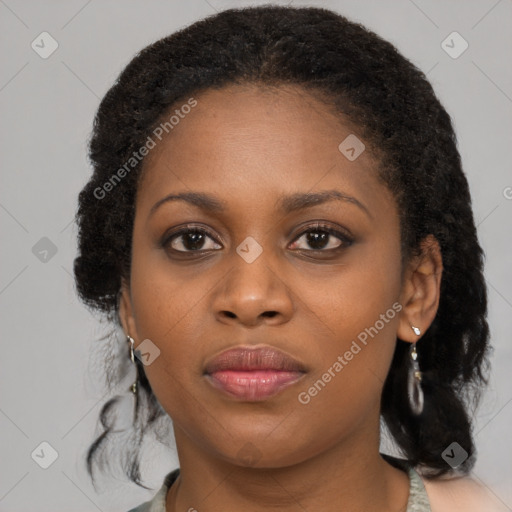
(253, 374)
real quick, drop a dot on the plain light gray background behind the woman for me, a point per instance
(50, 391)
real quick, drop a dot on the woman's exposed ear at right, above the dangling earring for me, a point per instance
(421, 290)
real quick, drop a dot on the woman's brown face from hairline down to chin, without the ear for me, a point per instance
(265, 274)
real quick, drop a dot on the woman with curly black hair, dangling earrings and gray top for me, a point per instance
(279, 222)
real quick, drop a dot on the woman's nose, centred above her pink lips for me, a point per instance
(254, 293)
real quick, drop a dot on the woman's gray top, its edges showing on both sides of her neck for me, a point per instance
(417, 502)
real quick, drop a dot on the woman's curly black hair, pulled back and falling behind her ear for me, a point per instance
(394, 110)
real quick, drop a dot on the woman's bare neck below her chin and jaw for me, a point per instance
(350, 475)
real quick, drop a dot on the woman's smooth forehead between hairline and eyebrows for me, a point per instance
(251, 143)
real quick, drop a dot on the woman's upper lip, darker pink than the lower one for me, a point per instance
(245, 358)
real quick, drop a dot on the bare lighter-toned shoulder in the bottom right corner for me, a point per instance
(464, 494)
